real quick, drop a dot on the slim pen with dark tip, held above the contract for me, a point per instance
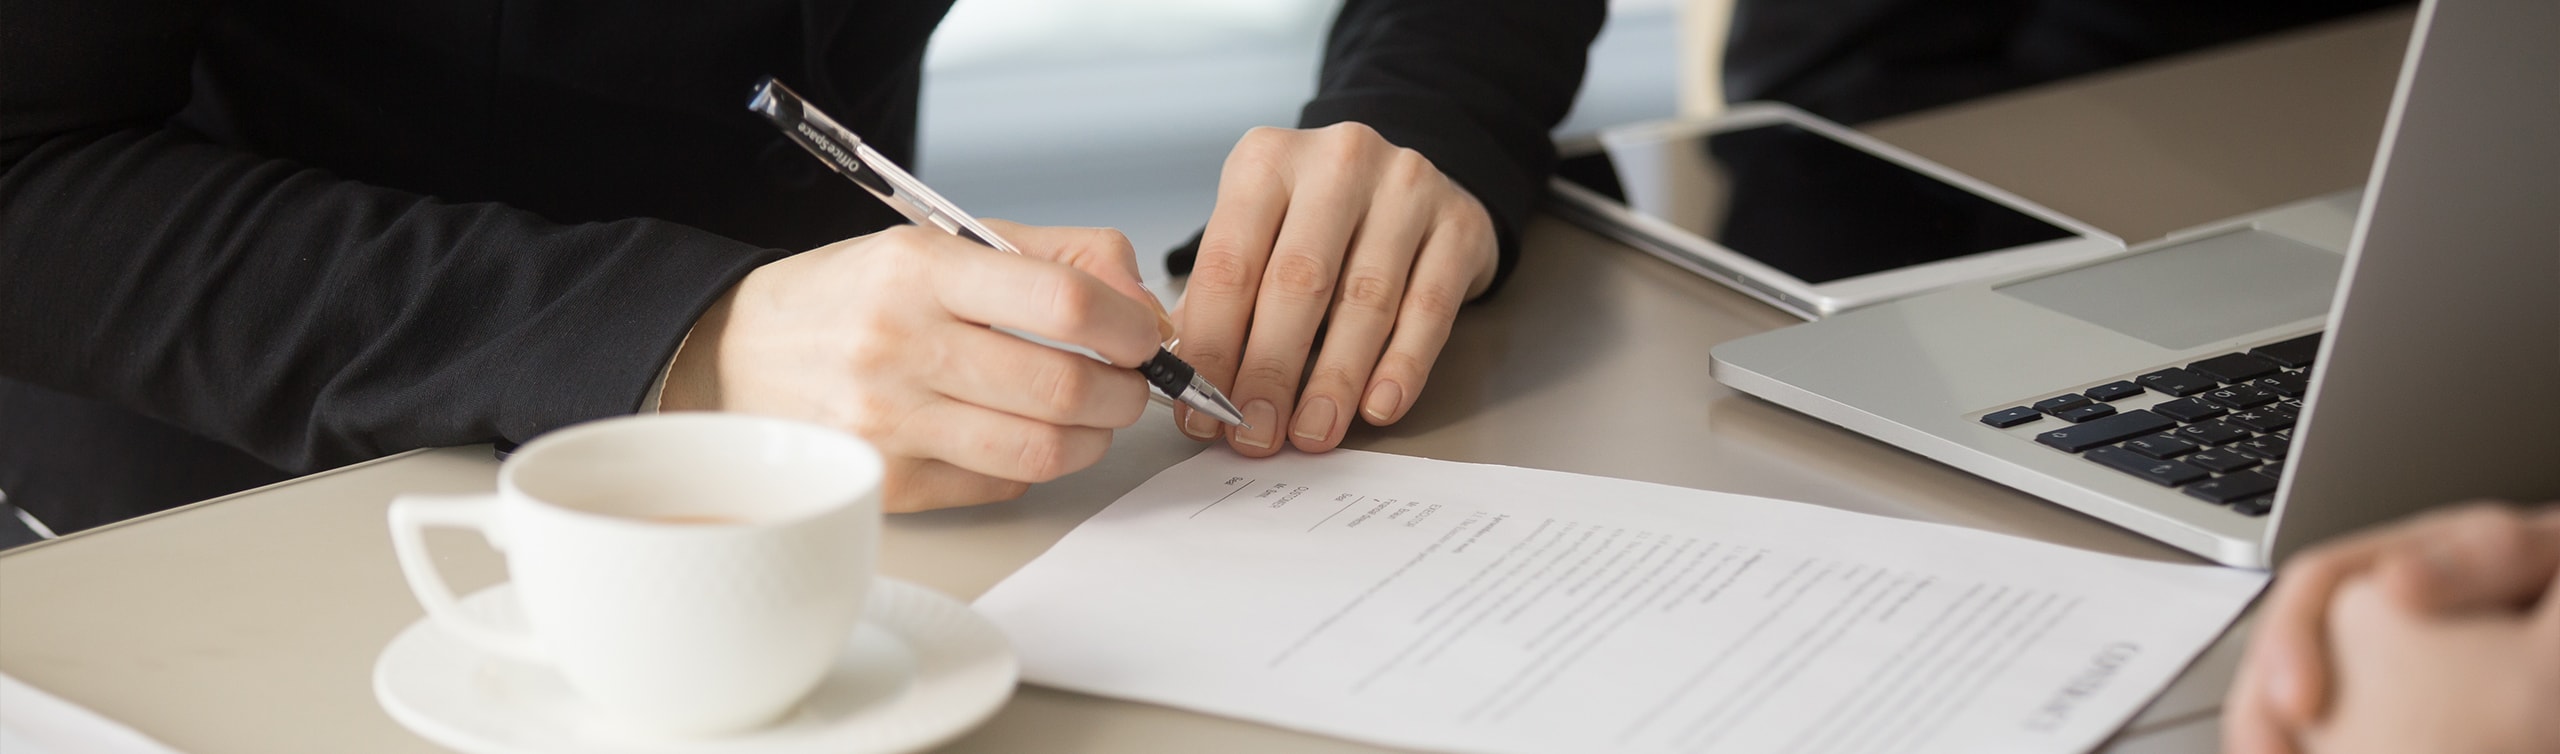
(854, 160)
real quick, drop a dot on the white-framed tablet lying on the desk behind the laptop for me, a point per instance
(1804, 213)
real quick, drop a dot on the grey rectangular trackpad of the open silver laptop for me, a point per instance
(2195, 293)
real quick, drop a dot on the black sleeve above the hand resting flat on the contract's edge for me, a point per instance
(1476, 86)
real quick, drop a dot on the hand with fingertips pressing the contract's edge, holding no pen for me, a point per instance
(1343, 231)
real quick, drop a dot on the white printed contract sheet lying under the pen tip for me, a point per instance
(1504, 610)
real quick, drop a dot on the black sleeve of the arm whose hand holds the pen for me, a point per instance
(283, 311)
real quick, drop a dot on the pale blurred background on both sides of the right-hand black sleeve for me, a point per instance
(1123, 111)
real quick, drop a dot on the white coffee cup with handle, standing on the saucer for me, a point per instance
(687, 574)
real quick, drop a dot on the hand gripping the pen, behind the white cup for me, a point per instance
(890, 336)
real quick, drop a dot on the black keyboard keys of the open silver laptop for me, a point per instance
(2216, 431)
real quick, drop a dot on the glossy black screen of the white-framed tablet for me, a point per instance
(1801, 203)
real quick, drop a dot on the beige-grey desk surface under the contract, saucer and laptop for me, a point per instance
(252, 622)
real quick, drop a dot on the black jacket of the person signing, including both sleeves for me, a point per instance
(329, 231)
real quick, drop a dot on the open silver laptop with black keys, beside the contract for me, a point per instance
(2259, 387)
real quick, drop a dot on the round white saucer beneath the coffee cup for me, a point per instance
(915, 673)
